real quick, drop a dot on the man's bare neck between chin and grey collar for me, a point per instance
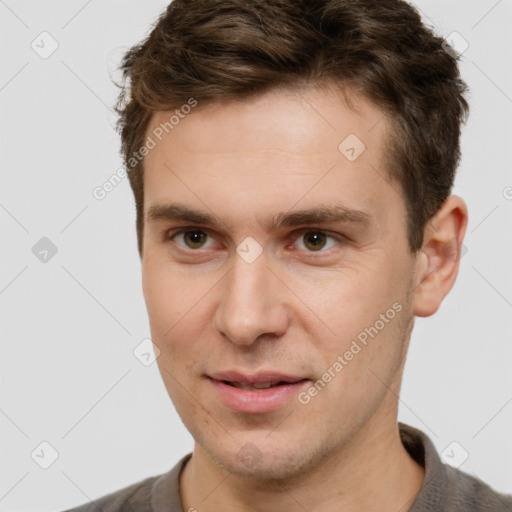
(372, 472)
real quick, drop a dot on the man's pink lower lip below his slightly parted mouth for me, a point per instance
(257, 401)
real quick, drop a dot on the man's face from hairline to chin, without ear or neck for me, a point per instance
(277, 300)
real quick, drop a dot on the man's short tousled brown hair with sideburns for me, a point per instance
(221, 50)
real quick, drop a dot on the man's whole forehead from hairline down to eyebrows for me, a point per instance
(274, 151)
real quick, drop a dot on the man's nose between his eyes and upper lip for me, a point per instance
(252, 303)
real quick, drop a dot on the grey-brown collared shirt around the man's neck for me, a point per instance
(444, 489)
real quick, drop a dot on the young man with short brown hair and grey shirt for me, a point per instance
(292, 163)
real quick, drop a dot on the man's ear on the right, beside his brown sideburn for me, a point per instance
(437, 264)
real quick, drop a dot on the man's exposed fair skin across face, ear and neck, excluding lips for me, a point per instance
(293, 309)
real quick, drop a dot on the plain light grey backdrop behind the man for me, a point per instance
(70, 325)
